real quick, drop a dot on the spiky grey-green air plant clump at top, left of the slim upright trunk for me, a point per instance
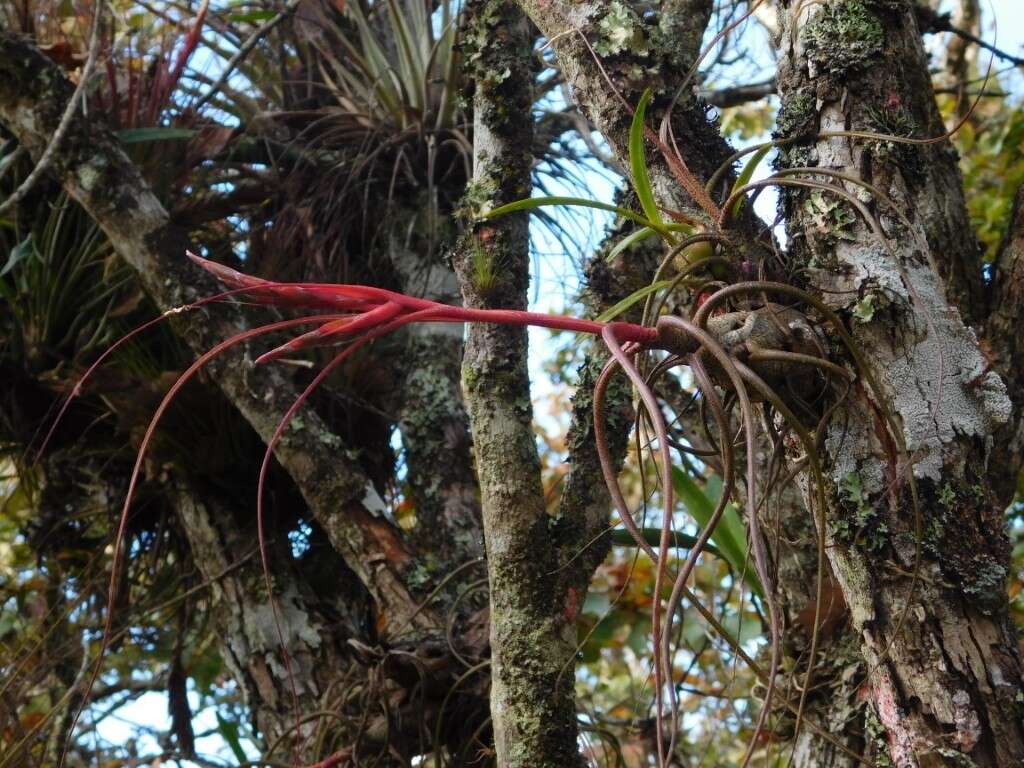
(383, 122)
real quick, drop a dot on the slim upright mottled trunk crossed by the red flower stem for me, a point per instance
(533, 620)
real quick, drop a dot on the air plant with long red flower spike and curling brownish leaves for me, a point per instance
(357, 315)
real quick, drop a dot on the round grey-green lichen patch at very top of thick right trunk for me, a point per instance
(843, 35)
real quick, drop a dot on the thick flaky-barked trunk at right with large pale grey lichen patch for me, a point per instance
(945, 672)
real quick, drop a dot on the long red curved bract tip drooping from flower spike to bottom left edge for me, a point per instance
(141, 456)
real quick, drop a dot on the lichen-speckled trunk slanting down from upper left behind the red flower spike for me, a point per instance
(96, 172)
